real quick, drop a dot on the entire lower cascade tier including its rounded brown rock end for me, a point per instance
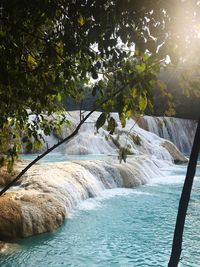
(48, 192)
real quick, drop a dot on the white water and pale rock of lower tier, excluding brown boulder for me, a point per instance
(72, 182)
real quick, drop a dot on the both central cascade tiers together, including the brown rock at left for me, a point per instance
(49, 191)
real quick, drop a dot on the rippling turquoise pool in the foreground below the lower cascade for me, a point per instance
(121, 228)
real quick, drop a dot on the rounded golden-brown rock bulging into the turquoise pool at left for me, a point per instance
(24, 214)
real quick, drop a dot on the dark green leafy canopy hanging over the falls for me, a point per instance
(50, 50)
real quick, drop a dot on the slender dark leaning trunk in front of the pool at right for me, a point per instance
(184, 201)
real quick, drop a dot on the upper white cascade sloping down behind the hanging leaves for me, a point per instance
(136, 140)
